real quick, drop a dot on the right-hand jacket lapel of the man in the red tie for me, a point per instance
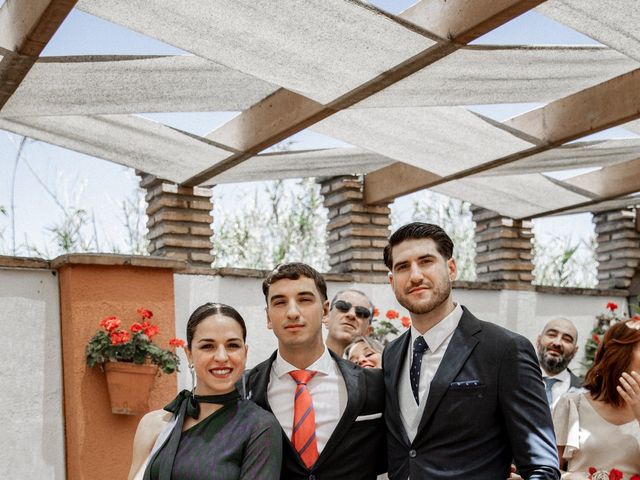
(356, 396)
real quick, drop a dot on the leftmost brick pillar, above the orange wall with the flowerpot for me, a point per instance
(179, 221)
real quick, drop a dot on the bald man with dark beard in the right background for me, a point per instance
(557, 345)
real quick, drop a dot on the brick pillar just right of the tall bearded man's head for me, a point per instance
(503, 247)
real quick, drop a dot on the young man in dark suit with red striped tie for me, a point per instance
(330, 410)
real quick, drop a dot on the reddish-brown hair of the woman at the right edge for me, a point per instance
(614, 355)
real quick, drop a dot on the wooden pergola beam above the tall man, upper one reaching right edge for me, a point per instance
(602, 106)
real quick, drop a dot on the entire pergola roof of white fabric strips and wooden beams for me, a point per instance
(386, 84)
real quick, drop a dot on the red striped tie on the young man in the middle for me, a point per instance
(303, 435)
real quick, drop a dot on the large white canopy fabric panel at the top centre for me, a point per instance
(319, 49)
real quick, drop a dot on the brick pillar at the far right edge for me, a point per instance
(618, 248)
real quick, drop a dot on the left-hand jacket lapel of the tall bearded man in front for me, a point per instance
(397, 354)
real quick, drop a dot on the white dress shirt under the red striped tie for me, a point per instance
(328, 393)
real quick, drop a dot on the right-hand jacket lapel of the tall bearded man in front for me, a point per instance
(460, 347)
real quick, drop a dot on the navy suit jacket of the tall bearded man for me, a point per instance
(473, 430)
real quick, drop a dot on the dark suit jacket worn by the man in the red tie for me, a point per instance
(356, 450)
